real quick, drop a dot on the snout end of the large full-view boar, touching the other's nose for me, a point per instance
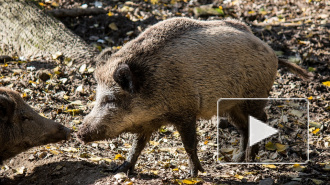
(88, 134)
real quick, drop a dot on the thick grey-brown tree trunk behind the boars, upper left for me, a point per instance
(26, 31)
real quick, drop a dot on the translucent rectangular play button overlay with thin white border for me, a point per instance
(262, 131)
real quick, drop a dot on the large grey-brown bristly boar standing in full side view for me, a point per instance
(174, 73)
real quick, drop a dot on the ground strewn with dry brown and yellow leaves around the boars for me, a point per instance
(62, 90)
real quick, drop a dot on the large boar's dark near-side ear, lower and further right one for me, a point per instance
(124, 77)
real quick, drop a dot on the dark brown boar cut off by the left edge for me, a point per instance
(22, 128)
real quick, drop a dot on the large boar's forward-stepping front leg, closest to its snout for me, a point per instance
(139, 143)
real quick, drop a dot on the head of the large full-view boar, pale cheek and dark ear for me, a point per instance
(119, 105)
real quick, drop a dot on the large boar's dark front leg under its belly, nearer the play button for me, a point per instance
(187, 130)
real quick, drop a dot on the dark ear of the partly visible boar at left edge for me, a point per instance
(7, 107)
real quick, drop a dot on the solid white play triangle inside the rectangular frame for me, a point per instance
(259, 131)
